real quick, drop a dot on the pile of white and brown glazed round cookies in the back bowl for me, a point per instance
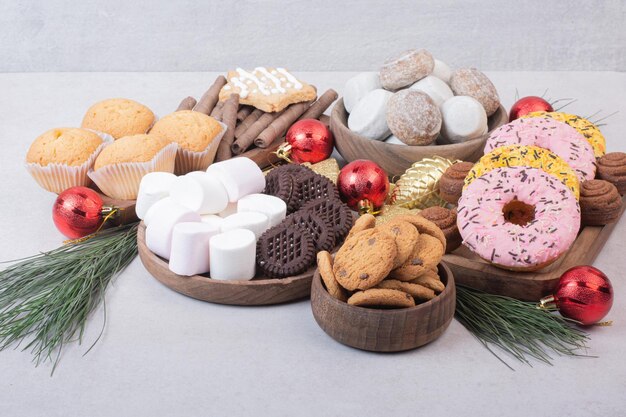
(416, 99)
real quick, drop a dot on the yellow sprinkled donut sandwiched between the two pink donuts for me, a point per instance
(530, 156)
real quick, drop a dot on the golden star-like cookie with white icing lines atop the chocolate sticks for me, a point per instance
(267, 89)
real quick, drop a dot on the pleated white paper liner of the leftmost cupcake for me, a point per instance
(59, 177)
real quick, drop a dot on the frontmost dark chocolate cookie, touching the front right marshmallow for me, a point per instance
(285, 250)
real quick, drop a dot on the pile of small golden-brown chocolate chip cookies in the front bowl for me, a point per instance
(392, 265)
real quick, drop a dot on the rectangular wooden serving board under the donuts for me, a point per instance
(472, 271)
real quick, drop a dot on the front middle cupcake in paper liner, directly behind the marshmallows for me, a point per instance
(119, 168)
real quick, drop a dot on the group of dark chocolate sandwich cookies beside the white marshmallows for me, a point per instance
(318, 220)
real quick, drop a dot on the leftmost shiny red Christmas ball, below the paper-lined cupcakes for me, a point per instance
(77, 212)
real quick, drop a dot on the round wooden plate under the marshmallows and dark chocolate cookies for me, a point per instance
(258, 291)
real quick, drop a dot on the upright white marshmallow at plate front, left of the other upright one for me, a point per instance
(190, 248)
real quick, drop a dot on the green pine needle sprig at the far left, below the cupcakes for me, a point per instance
(45, 299)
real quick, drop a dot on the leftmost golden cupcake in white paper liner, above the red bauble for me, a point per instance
(60, 158)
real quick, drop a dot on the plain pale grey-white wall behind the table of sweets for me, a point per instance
(192, 35)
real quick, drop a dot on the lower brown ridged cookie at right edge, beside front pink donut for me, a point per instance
(600, 203)
